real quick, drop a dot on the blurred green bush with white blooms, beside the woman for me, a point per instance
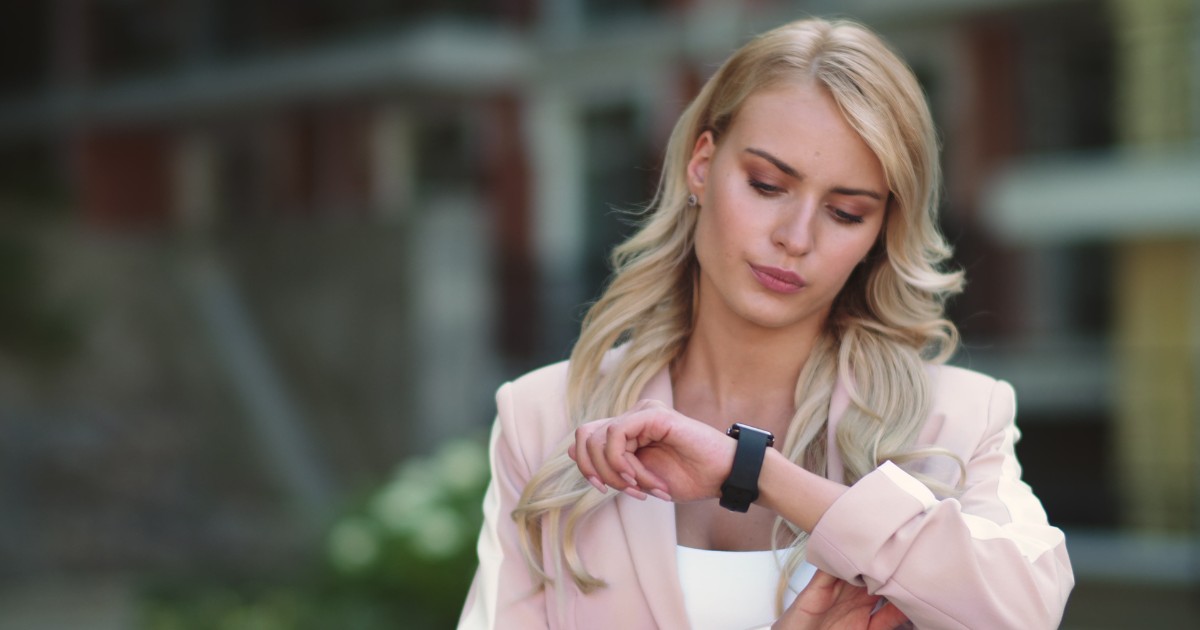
(403, 559)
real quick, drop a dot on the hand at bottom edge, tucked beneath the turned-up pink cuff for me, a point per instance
(833, 604)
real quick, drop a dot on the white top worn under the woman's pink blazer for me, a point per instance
(735, 590)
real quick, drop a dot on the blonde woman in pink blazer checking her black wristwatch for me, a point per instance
(788, 279)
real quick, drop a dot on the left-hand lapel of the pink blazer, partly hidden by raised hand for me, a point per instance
(651, 533)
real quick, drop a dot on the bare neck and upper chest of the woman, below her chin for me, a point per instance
(742, 373)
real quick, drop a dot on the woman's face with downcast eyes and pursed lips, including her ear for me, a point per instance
(791, 201)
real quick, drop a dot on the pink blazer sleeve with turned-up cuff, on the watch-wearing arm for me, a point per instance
(987, 559)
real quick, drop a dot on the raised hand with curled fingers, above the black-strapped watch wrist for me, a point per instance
(652, 448)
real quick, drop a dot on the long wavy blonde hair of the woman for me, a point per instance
(885, 326)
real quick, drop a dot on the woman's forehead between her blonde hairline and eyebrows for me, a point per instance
(802, 125)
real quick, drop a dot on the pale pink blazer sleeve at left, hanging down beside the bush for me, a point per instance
(503, 595)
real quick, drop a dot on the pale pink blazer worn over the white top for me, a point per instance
(987, 560)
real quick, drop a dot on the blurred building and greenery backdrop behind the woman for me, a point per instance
(265, 263)
